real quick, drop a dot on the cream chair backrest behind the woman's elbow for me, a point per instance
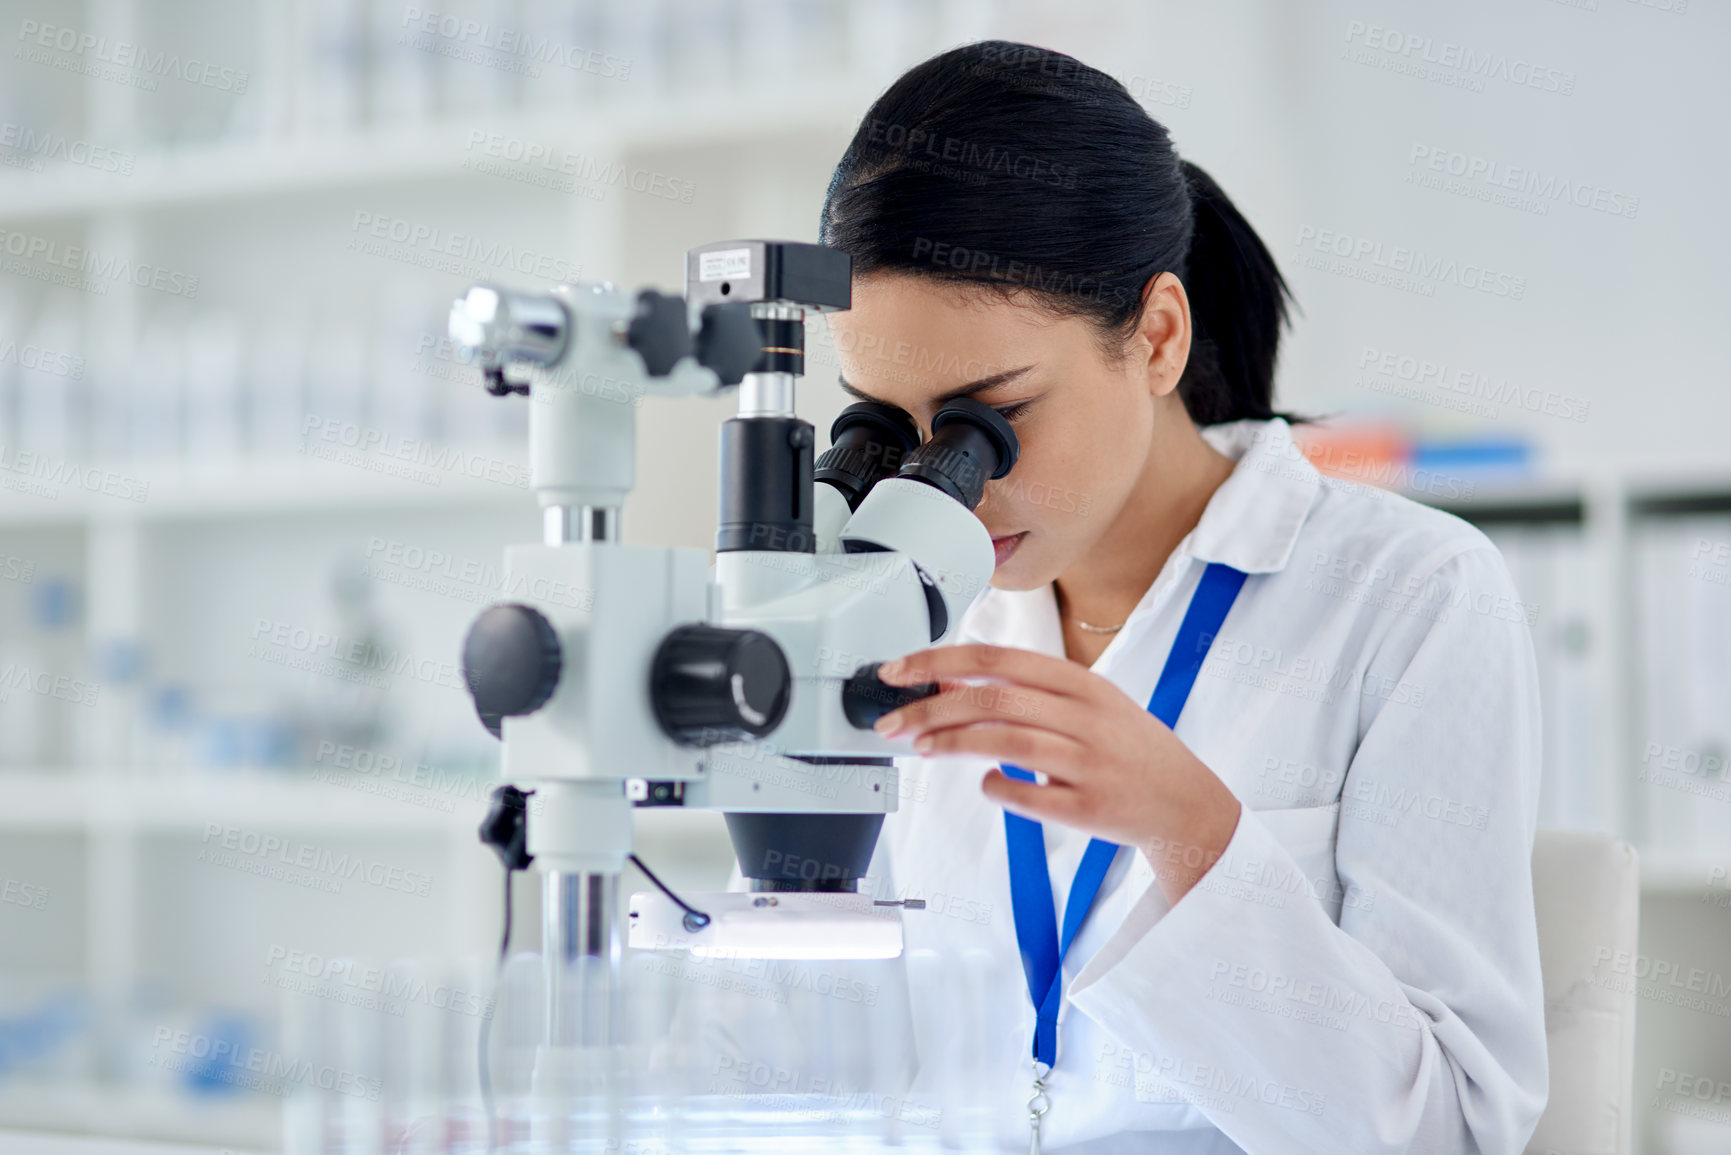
(1588, 894)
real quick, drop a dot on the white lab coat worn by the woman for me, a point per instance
(1360, 972)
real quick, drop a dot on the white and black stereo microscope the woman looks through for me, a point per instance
(640, 676)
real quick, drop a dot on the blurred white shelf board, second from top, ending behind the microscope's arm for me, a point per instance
(252, 487)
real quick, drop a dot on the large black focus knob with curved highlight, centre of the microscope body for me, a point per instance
(712, 685)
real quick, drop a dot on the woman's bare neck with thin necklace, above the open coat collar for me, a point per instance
(1105, 584)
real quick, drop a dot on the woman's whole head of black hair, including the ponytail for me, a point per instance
(1022, 169)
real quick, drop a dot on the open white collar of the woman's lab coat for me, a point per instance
(1251, 524)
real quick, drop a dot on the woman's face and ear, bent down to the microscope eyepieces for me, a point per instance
(1084, 422)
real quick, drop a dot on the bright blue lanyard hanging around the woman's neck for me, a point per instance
(1031, 882)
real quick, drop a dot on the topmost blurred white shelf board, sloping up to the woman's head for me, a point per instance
(297, 165)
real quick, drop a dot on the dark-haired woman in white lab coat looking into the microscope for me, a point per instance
(1320, 931)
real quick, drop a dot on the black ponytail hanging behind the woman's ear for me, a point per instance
(1239, 306)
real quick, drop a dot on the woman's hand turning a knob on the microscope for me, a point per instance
(1114, 770)
